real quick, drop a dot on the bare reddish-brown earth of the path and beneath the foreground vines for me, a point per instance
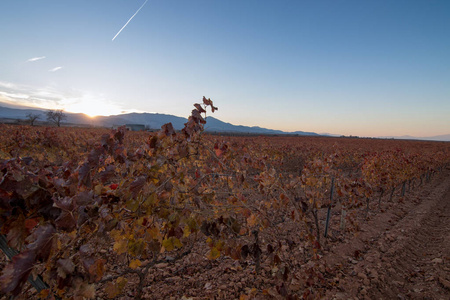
(400, 252)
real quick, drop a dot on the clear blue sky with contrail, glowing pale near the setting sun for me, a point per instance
(366, 68)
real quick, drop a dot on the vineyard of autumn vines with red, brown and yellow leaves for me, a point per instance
(99, 213)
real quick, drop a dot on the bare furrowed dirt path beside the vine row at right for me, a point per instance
(403, 253)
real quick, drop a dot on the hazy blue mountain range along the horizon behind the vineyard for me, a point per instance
(156, 120)
